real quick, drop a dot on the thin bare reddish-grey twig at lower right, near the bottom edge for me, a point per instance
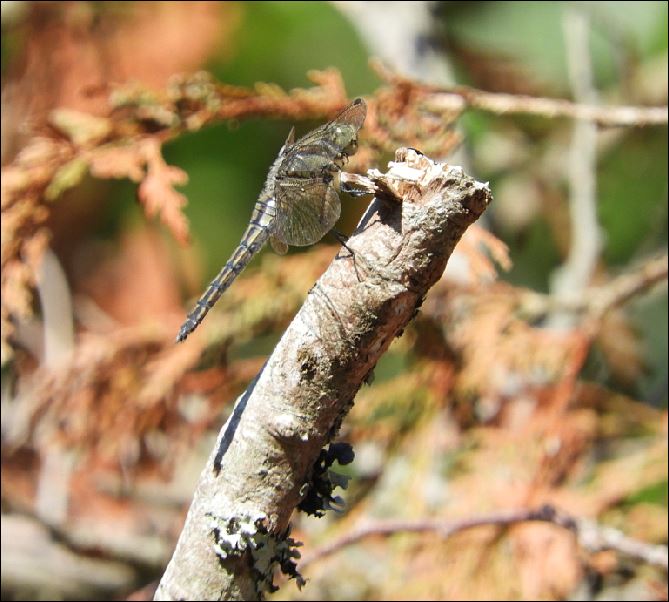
(589, 534)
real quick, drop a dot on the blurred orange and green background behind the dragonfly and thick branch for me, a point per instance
(136, 137)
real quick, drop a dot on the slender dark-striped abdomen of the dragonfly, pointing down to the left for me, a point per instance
(254, 238)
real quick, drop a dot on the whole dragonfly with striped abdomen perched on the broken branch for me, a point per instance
(299, 202)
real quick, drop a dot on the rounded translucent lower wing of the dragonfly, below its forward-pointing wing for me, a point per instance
(306, 210)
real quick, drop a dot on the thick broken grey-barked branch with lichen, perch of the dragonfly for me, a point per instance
(265, 453)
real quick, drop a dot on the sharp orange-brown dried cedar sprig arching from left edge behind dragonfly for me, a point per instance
(126, 144)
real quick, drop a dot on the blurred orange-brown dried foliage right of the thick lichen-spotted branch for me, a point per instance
(527, 434)
